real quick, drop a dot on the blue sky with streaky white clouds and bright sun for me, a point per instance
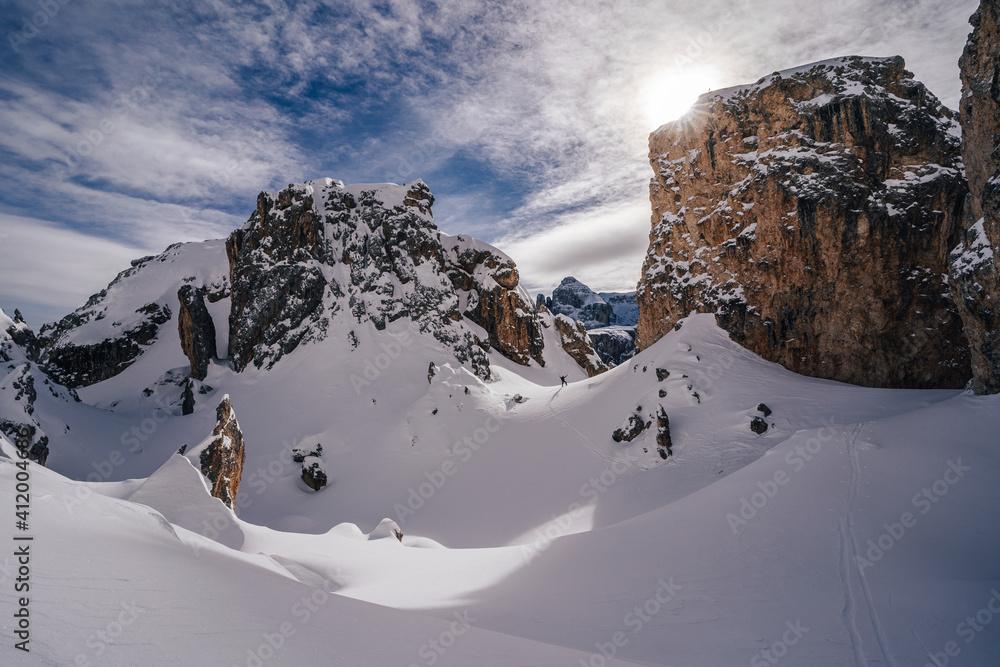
(128, 126)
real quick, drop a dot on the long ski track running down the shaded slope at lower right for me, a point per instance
(849, 559)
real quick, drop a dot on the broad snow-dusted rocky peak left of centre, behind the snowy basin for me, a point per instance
(319, 250)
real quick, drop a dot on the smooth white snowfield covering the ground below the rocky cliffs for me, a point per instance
(526, 528)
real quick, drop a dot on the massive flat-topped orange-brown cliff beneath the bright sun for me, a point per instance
(813, 212)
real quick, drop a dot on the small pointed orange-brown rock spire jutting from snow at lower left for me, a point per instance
(220, 457)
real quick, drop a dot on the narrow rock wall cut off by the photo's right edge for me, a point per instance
(975, 265)
